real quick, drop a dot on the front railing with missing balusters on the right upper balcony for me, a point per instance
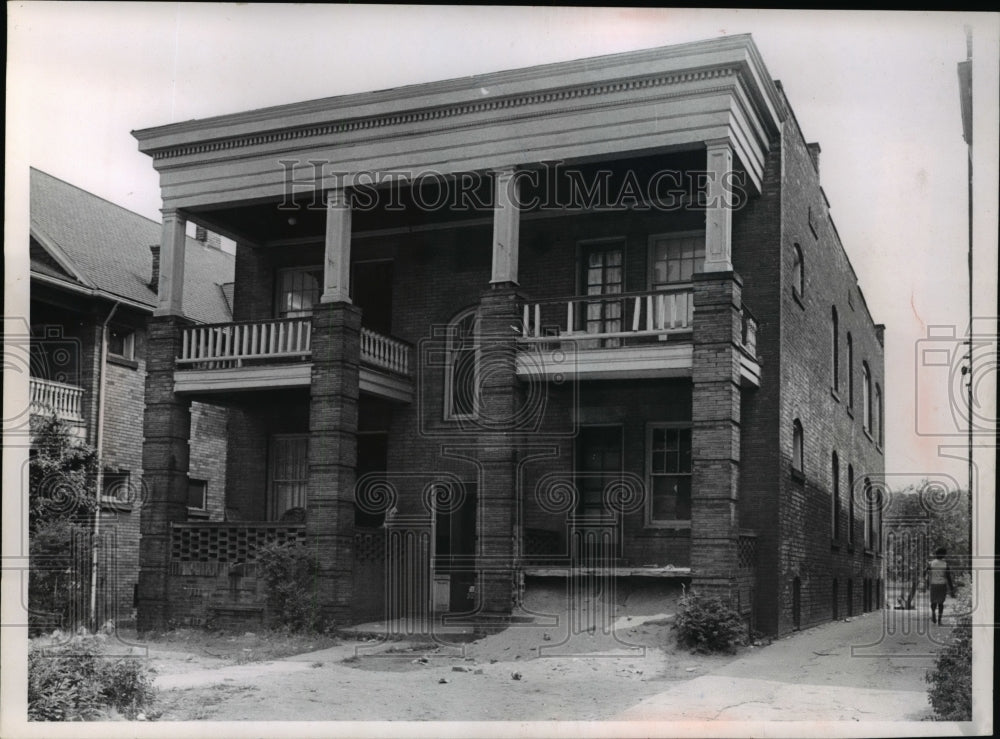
(623, 316)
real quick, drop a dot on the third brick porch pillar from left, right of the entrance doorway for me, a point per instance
(498, 426)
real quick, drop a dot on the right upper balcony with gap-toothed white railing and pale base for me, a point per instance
(619, 336)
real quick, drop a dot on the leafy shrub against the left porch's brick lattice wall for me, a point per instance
(289, 573)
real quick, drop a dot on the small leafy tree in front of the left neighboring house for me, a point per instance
(61, 502)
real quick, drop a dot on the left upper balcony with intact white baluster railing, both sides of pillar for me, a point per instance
(255, 355)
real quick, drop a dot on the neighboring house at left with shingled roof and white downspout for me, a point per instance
(93, 278)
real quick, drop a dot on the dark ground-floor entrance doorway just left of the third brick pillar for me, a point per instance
(455, 546)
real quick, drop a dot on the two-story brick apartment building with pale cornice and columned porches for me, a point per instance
(588, 318)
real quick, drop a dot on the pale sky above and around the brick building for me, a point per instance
(878, 91)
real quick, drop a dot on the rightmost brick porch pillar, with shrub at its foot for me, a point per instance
(716, 432)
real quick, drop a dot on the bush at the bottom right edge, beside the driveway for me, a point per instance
(950, 691)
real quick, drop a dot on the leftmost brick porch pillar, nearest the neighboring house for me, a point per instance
(165, 456)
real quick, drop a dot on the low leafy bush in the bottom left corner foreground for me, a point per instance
(77, 682)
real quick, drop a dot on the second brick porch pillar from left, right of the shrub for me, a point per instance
(333, 428)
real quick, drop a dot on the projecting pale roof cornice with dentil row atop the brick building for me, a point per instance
(488, 94)
